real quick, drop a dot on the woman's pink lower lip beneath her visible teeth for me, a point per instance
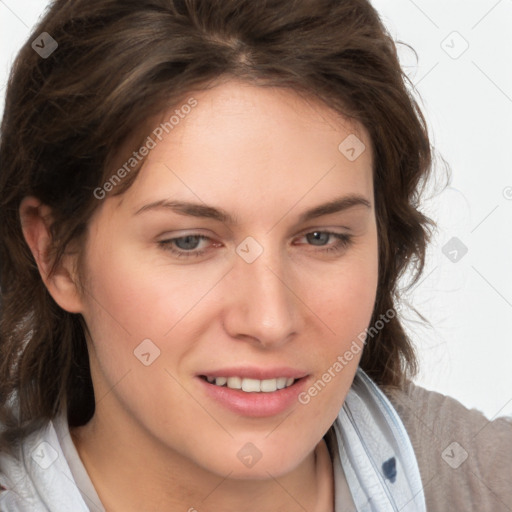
(255, 405)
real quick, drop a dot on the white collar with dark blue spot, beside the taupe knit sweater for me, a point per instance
(376, 453)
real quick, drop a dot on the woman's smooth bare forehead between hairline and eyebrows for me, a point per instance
(241, 141)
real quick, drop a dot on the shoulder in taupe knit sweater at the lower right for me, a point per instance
(464, 458)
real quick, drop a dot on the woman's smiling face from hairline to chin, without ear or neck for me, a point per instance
(218, 263)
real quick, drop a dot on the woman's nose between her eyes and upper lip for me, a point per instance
(261, 304)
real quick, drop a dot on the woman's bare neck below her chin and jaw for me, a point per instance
(131, 471)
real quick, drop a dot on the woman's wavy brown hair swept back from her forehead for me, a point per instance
(119, 62)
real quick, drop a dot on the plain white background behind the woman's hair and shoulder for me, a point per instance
(466, 97)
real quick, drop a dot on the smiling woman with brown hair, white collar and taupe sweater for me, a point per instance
(207, 206)
